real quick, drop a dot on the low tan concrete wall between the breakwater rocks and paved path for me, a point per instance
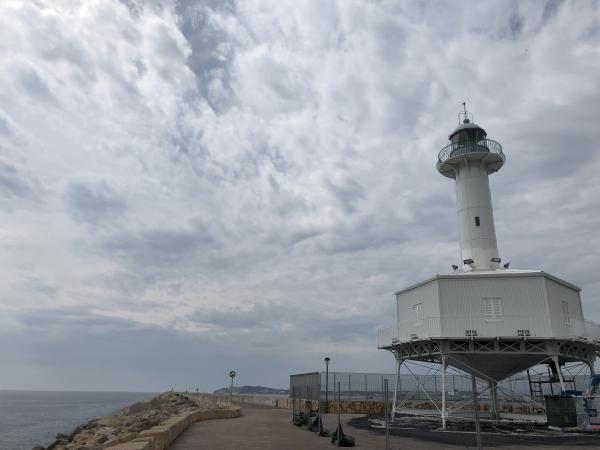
(162, 436)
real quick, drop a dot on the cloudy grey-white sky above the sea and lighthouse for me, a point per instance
(190, 187)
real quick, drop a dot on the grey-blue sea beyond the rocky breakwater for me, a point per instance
(29, 418)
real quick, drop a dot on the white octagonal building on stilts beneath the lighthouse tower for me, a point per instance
(516, 313)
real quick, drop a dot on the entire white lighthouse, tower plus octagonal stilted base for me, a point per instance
(484, 318)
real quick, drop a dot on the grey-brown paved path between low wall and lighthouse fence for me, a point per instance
(271, 429)
